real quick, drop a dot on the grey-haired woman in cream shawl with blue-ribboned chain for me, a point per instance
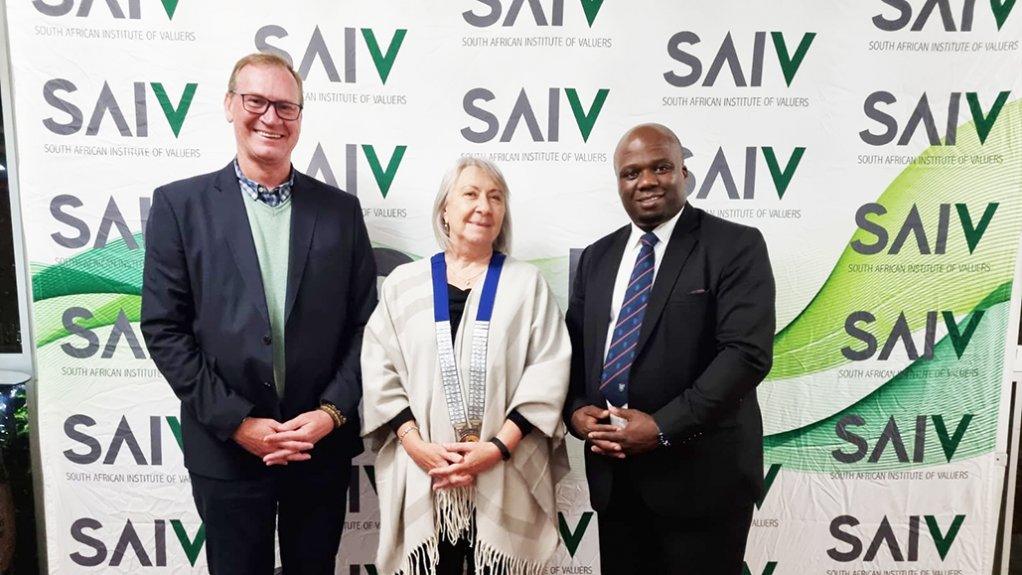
(466, 368)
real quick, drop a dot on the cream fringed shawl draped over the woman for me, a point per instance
(529, 360)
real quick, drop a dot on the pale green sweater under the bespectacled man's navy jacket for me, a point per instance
(272, 234)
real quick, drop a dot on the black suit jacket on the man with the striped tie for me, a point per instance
(706, 344)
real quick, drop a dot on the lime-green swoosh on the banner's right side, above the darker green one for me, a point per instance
(813, 342)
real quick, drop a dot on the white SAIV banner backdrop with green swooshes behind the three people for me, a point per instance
(876, 143)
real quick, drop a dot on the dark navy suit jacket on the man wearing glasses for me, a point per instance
(206, 322)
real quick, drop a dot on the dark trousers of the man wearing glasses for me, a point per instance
(240, 518)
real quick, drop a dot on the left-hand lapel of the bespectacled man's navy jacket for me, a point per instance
(229, 206)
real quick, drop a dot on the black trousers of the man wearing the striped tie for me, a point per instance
(634, 539)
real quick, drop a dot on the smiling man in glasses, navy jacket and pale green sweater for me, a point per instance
(258, 283)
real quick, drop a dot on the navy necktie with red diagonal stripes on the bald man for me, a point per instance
(615, 381)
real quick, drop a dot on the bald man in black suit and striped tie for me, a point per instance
(672, 324)
